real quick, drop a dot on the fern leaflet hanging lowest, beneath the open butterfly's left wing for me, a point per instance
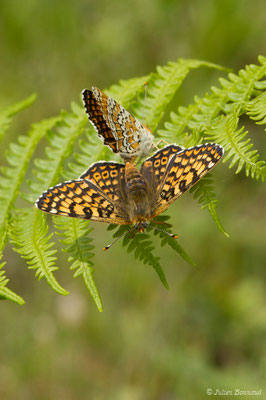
(75, 237)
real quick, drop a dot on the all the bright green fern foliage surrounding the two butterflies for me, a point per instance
(215, 117)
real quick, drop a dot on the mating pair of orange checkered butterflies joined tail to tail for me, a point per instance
(121, 193)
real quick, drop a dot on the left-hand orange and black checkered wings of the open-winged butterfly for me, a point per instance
(98, 199)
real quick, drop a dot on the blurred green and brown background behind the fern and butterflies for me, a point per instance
(209, 330)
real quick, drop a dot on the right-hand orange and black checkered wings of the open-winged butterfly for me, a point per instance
(176, 173)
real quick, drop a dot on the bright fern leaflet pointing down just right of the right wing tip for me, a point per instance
(238, 151)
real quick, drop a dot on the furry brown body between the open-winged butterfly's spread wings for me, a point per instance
(137, 194)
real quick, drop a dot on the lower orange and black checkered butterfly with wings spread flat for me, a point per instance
(123, 194)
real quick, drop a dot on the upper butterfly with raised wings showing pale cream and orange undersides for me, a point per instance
(119, 130)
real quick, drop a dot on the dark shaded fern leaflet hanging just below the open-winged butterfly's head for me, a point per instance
(142, 247)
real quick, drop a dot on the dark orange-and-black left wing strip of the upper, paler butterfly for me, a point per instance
(98, 119)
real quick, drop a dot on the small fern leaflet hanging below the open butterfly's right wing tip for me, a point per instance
(204, 192)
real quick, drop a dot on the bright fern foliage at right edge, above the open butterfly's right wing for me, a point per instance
(215, 117)
